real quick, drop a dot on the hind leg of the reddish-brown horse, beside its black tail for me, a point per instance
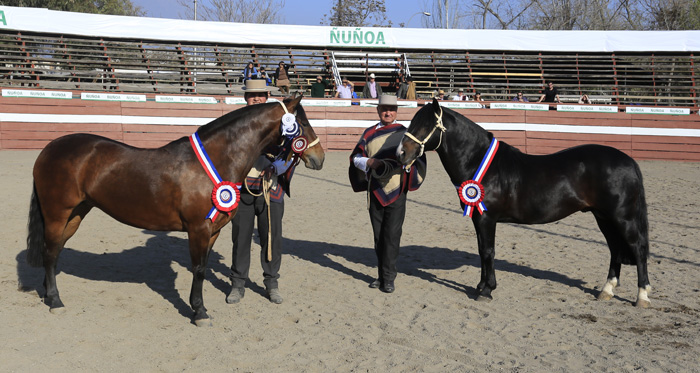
(56, 232)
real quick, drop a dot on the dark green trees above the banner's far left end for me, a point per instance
(113, 7)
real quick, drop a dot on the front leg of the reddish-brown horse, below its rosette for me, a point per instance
(201, 242)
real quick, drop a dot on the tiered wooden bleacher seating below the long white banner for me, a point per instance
(54, 61)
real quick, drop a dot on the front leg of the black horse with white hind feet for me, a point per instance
(486, 238)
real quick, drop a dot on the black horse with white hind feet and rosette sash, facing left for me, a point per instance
(536, 189)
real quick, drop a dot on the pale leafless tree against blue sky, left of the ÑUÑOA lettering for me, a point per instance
(244, 11)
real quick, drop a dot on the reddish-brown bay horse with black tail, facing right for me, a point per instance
(161, 189)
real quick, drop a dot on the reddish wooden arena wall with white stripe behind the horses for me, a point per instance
(30, 123)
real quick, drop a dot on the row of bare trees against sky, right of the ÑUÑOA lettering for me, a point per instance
(564, 14)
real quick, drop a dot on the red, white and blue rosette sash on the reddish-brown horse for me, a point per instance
(225, 195)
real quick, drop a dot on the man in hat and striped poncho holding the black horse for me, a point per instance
(374, 168)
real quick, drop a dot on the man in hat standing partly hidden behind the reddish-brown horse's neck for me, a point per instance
(252, 205)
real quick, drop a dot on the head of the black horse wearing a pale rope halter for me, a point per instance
(420, 135)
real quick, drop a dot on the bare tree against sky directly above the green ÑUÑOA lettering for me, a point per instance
(357, 13)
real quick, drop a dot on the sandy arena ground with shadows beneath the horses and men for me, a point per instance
(126, 290)
